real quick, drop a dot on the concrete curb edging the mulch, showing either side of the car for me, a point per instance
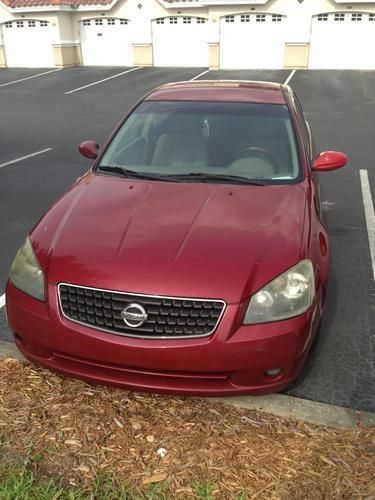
(276, 404)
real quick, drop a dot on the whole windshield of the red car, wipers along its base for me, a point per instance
(203, 141)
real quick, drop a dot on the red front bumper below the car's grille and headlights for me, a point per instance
(232, 361)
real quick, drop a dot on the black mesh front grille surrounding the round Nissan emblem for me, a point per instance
(167, 317)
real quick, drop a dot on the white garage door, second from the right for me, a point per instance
(252, 41)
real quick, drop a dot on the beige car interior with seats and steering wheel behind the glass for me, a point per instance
(183, 141)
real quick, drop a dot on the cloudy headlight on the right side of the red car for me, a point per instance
(288, 295)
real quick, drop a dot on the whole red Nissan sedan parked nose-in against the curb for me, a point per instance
(192, 257)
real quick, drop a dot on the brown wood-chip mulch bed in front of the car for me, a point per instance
(81, 430)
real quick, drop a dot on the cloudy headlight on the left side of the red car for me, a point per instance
(26, 273)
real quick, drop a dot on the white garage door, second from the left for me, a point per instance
(106, 42)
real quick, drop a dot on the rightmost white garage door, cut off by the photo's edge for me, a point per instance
(342, 40)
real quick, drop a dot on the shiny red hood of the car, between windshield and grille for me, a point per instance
(180, 239)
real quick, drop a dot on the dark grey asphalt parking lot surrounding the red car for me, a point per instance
(46, 113)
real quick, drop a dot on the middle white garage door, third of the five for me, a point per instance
(180, 41)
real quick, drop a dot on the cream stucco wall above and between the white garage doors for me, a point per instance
(67, 24)
